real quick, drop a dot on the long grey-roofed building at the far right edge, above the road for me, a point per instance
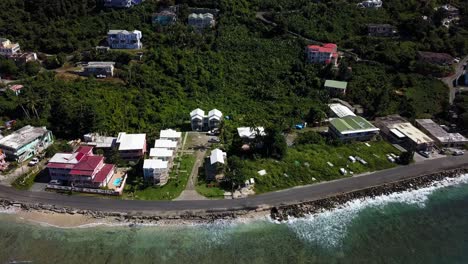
(439, 135)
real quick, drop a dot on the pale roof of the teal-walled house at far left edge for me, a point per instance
(23, 136)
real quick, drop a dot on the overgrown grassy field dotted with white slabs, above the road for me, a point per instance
(306, 164)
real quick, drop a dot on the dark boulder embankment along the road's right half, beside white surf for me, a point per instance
(283, 213)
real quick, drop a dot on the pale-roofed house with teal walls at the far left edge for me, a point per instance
(26, 142)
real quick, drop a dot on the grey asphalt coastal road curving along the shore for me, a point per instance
(285, 197)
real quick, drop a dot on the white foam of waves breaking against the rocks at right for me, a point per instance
(329, 227)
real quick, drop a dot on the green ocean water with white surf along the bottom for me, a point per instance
(429, 225)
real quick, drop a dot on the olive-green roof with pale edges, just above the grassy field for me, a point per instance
(352, 124)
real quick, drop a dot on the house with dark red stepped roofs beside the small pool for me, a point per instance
(81, 168)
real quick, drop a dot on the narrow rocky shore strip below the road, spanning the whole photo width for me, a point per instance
(279, 213)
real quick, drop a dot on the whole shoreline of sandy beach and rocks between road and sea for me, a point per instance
(49, 215)
